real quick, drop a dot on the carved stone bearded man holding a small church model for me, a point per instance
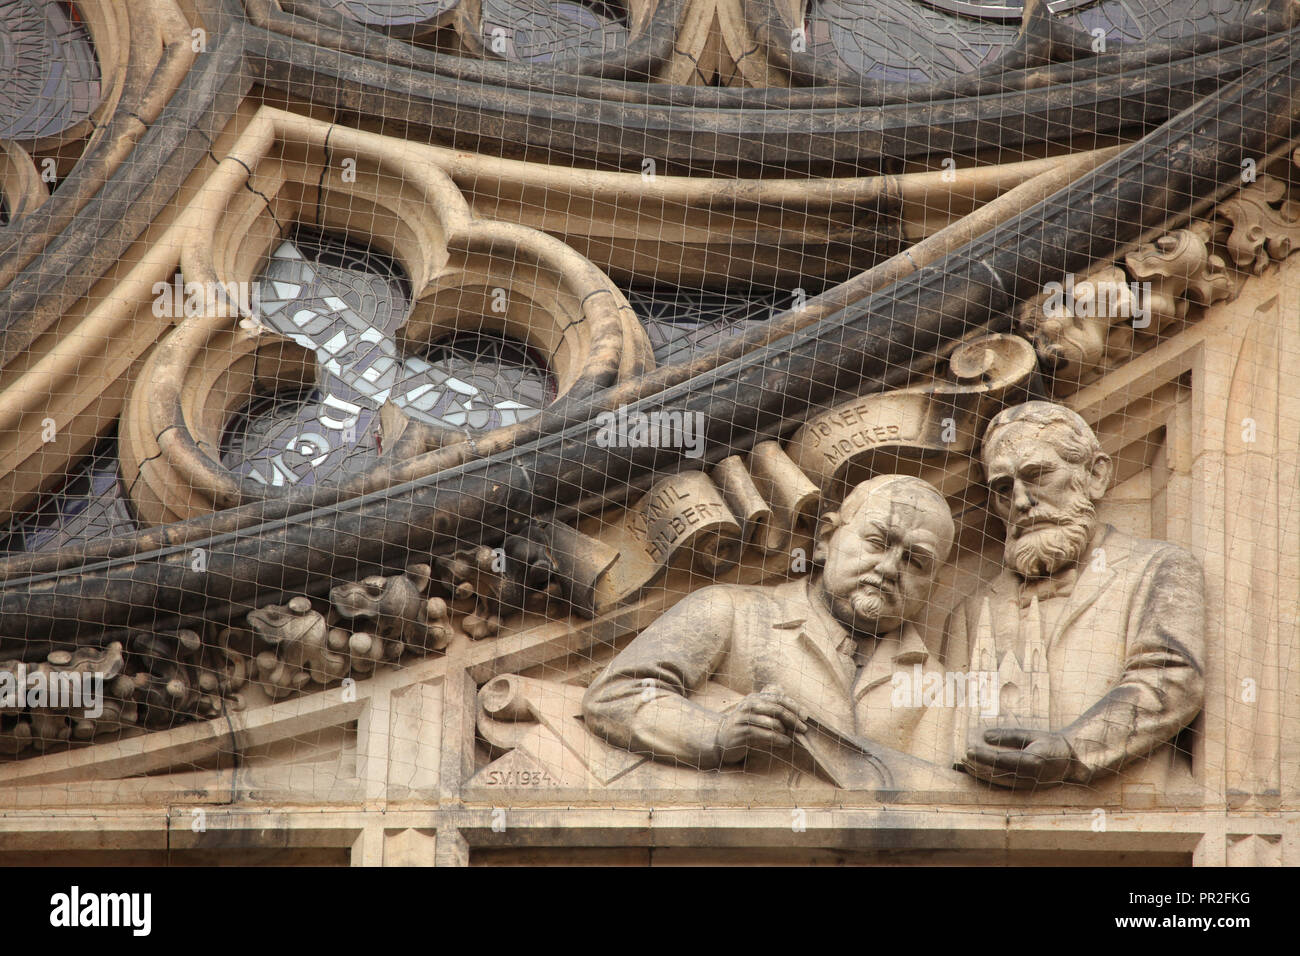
(1095, 638)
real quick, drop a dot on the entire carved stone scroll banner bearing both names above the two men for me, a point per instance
(769, 498)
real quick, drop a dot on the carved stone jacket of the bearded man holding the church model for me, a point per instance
(1125, 648)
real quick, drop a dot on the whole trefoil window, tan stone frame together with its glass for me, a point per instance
(304, 361)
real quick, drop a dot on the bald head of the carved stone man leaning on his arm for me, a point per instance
(881, 552)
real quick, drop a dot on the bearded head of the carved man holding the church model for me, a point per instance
(1046, 475)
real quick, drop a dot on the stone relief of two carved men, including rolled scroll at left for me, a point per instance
(1082, 659)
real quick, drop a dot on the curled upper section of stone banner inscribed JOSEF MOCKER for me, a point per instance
(837, 448)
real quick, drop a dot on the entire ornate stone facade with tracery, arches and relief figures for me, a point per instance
(947, 513)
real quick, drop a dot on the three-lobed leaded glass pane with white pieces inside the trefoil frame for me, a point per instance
(345, 304)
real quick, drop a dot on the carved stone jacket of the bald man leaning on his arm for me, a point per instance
(666, 694)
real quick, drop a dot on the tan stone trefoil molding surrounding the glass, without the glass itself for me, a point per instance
(291, 170)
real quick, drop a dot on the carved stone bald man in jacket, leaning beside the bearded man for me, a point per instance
(826, 647)
